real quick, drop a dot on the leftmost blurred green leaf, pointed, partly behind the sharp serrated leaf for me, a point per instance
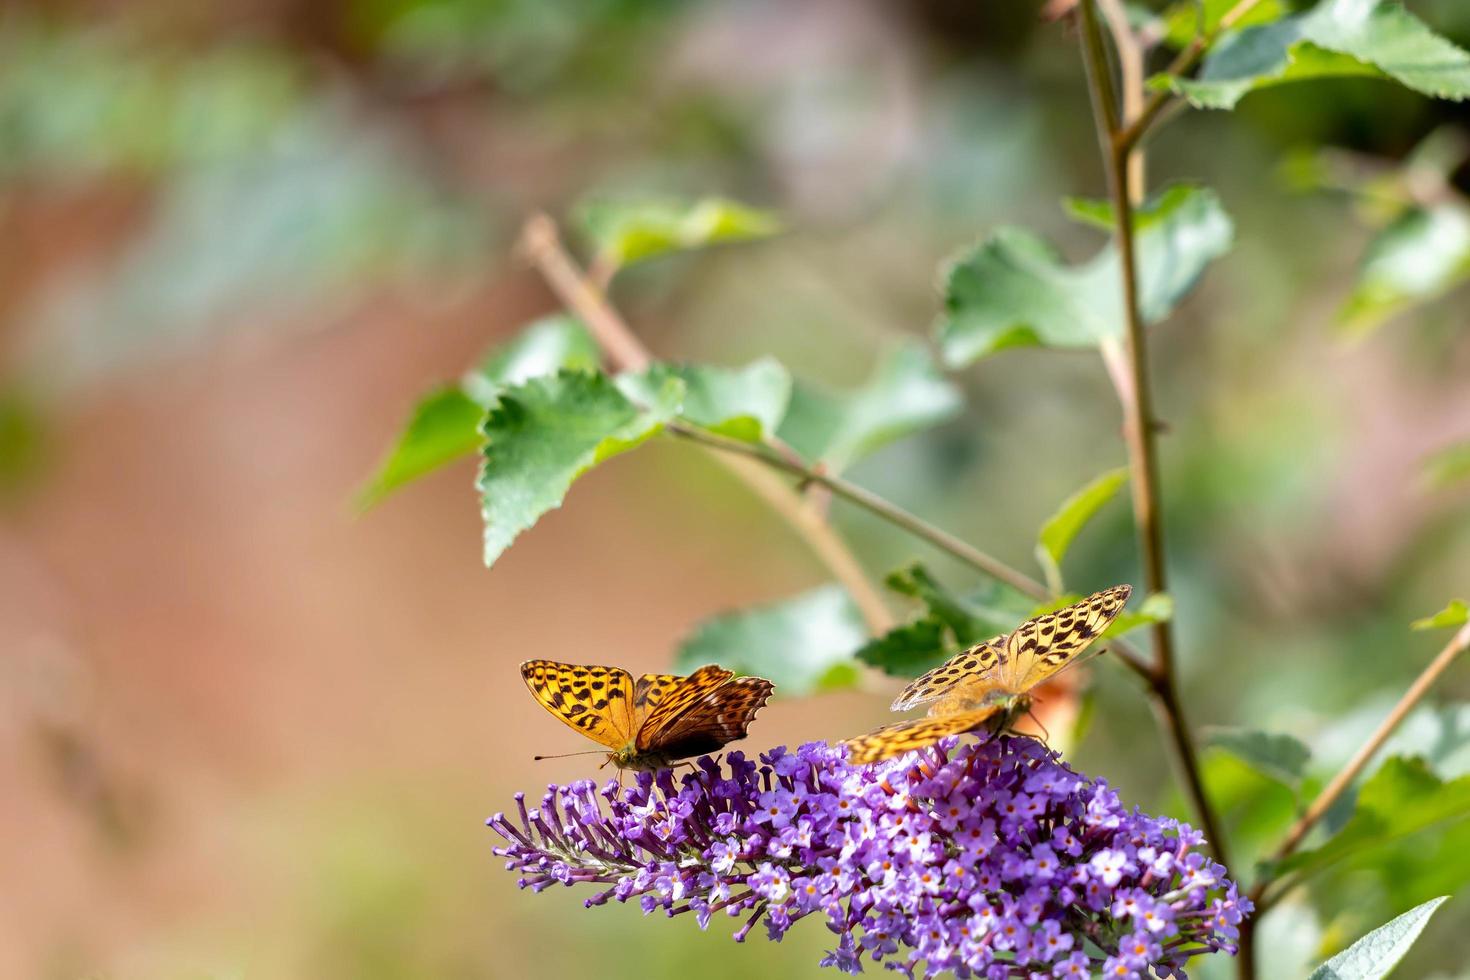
(446, 422)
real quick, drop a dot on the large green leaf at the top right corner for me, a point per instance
(1335, 39)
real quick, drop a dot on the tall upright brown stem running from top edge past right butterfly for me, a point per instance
(1141, 428)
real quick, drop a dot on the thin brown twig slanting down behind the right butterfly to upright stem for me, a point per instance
(903, 519)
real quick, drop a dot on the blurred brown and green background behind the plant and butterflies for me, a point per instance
(246, 734)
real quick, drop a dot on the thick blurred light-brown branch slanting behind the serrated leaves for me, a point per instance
(543, 246)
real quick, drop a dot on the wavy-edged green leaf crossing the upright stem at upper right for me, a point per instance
(1015, 292)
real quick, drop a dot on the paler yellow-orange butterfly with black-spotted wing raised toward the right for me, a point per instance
(990, 684)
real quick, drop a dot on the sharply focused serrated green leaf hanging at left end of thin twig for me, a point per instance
(546, 433)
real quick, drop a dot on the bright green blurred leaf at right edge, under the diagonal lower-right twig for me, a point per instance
(1405, 797)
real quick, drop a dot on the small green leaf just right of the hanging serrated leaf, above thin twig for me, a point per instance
(743, 403)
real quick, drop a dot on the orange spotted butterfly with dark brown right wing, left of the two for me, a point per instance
(652, 722)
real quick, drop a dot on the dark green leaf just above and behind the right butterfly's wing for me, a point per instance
(949, 624)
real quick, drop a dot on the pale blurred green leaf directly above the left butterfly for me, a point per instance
(803, 644)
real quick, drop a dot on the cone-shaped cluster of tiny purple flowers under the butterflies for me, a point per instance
(989, 860)
